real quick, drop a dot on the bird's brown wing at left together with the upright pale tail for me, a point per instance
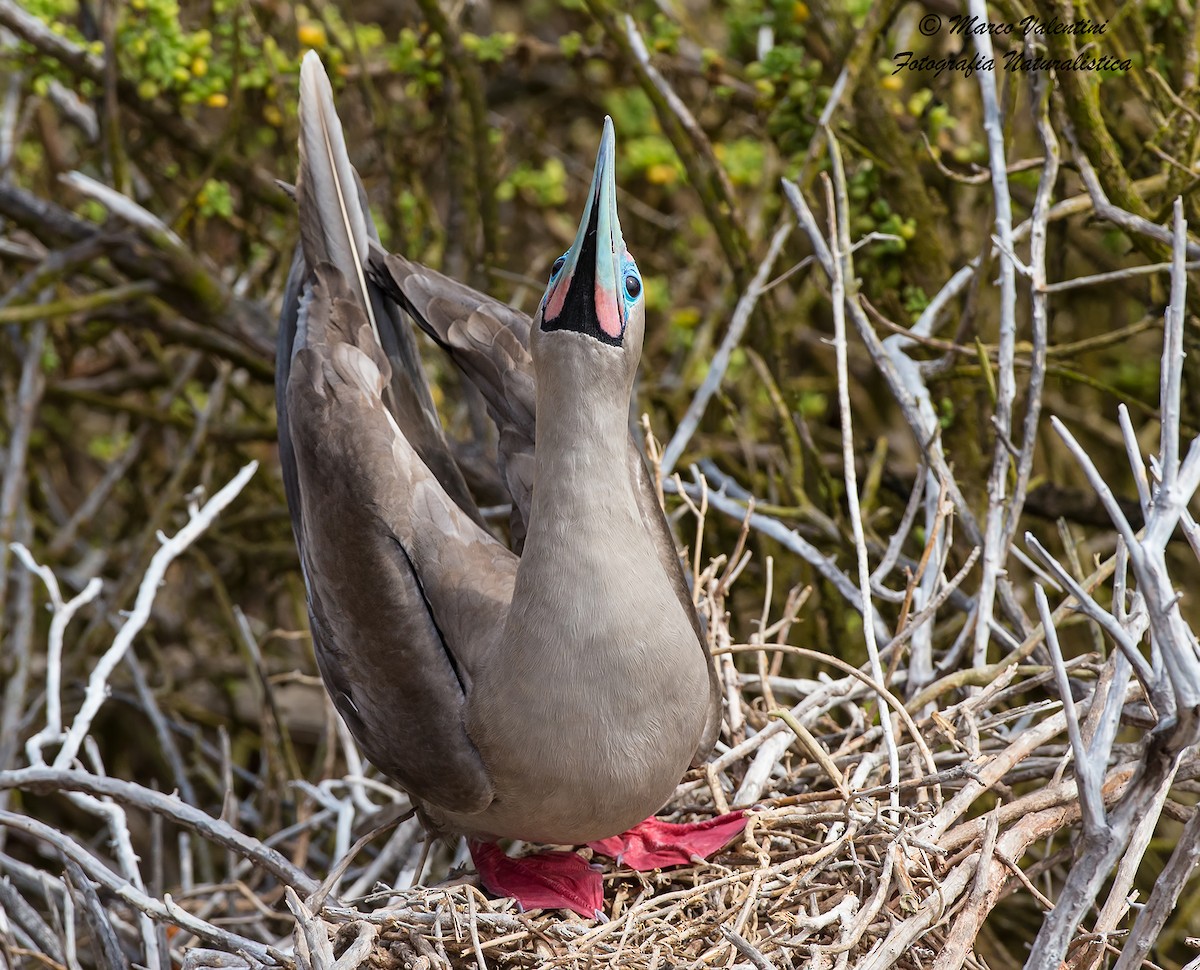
(406, 591)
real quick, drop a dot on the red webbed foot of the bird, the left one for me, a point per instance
(548, 881)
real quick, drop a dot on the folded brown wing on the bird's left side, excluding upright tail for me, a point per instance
(405, 591)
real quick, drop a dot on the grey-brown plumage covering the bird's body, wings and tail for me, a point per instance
(556, 696)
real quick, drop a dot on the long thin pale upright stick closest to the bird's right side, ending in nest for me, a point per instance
(844, 272)
